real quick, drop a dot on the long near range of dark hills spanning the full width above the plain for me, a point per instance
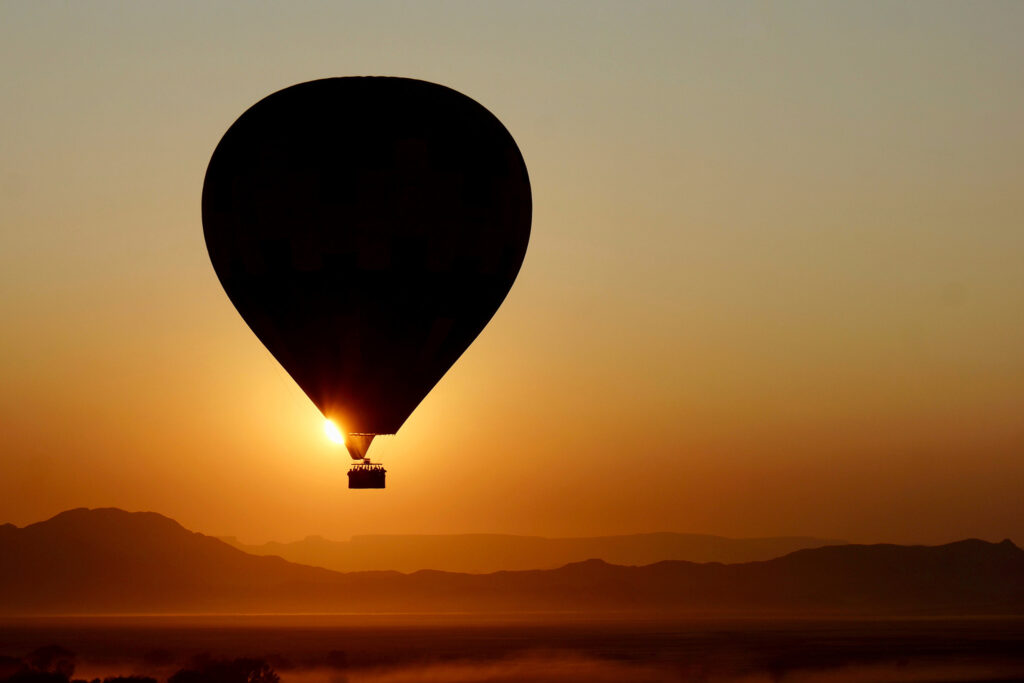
(90, 562)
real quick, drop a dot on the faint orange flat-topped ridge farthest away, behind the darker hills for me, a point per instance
(485, 553)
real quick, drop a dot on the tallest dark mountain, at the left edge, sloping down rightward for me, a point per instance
(109, 560)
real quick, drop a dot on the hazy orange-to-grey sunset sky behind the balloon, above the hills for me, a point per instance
(775, 283)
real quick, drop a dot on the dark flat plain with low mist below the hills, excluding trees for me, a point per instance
(400, 650)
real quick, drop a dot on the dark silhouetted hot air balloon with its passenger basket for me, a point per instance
(367, 230)
